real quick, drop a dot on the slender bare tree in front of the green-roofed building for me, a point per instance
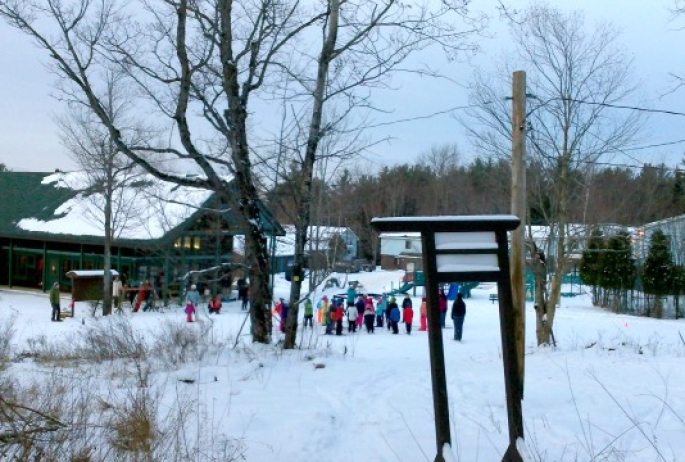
(109, 178)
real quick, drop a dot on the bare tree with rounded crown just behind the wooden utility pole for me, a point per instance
(573, 74)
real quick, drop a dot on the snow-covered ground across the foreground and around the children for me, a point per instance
(613, 389)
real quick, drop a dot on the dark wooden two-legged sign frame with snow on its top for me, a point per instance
(466, 248)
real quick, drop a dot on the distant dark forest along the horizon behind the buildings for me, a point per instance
(620, 195)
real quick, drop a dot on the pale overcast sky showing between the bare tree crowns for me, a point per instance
(29, 140)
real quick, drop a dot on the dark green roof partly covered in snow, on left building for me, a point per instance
(60, 206)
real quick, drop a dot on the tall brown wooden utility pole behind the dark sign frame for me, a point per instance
(518, 208)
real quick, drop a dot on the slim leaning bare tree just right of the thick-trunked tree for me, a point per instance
(361, 44)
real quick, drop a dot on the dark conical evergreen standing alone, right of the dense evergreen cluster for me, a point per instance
(657, 276)
